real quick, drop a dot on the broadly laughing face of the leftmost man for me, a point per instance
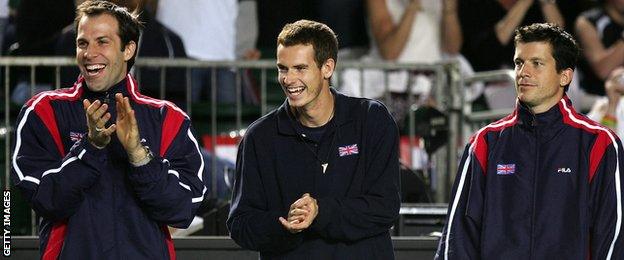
(98, 52)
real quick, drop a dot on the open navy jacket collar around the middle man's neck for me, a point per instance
(286, 121)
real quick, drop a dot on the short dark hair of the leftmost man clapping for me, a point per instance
(129, 25)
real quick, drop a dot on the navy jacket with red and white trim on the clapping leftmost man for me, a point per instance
(94, 204)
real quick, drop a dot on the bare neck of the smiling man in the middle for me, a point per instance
(318, 116)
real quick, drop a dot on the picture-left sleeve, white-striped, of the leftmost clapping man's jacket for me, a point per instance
(51, 182)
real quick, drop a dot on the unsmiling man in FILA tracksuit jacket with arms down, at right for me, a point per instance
(545, 181)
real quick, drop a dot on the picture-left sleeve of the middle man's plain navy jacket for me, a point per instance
(251, 224)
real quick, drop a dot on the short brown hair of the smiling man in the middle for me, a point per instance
(319, 35)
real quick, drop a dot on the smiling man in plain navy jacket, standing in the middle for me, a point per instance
(318, 177)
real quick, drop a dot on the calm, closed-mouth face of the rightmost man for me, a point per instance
(537, 82)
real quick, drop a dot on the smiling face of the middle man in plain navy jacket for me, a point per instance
(301, 79)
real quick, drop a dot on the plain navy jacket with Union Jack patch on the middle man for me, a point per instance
(358, 195)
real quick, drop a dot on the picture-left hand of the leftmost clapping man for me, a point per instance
(97, 117)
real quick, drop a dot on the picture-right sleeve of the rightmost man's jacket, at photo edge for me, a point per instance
(607, 238)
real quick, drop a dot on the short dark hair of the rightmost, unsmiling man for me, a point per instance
(565, 50)
